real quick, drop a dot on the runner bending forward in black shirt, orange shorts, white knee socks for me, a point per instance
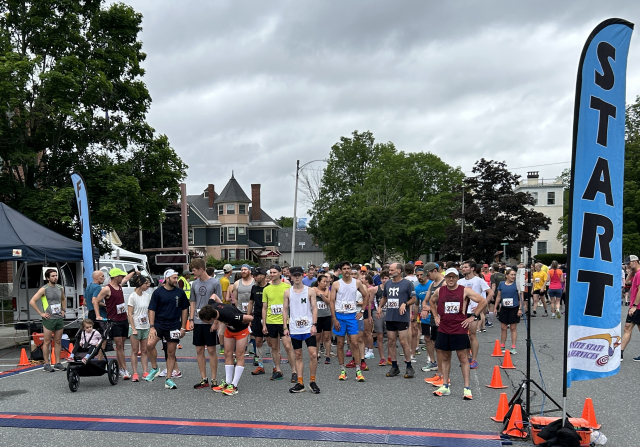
(235, 339)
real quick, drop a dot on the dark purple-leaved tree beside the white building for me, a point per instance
(494, 213)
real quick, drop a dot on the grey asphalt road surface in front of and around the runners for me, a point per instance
(380, 401)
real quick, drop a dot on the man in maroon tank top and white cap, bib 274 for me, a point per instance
(448, 306)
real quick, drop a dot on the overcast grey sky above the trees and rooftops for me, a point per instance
(251, 86)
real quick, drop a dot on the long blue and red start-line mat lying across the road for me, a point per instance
(249, 429)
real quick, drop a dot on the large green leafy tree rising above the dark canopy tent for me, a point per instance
(73, 99)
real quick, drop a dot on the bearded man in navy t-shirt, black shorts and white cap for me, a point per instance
(168, 313)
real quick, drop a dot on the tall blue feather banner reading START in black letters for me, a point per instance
(595, 207)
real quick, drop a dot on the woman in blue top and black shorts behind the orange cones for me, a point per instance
(509, 308)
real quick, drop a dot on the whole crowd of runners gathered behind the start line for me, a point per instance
(434, 309)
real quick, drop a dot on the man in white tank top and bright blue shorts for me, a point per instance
(345, 316)
